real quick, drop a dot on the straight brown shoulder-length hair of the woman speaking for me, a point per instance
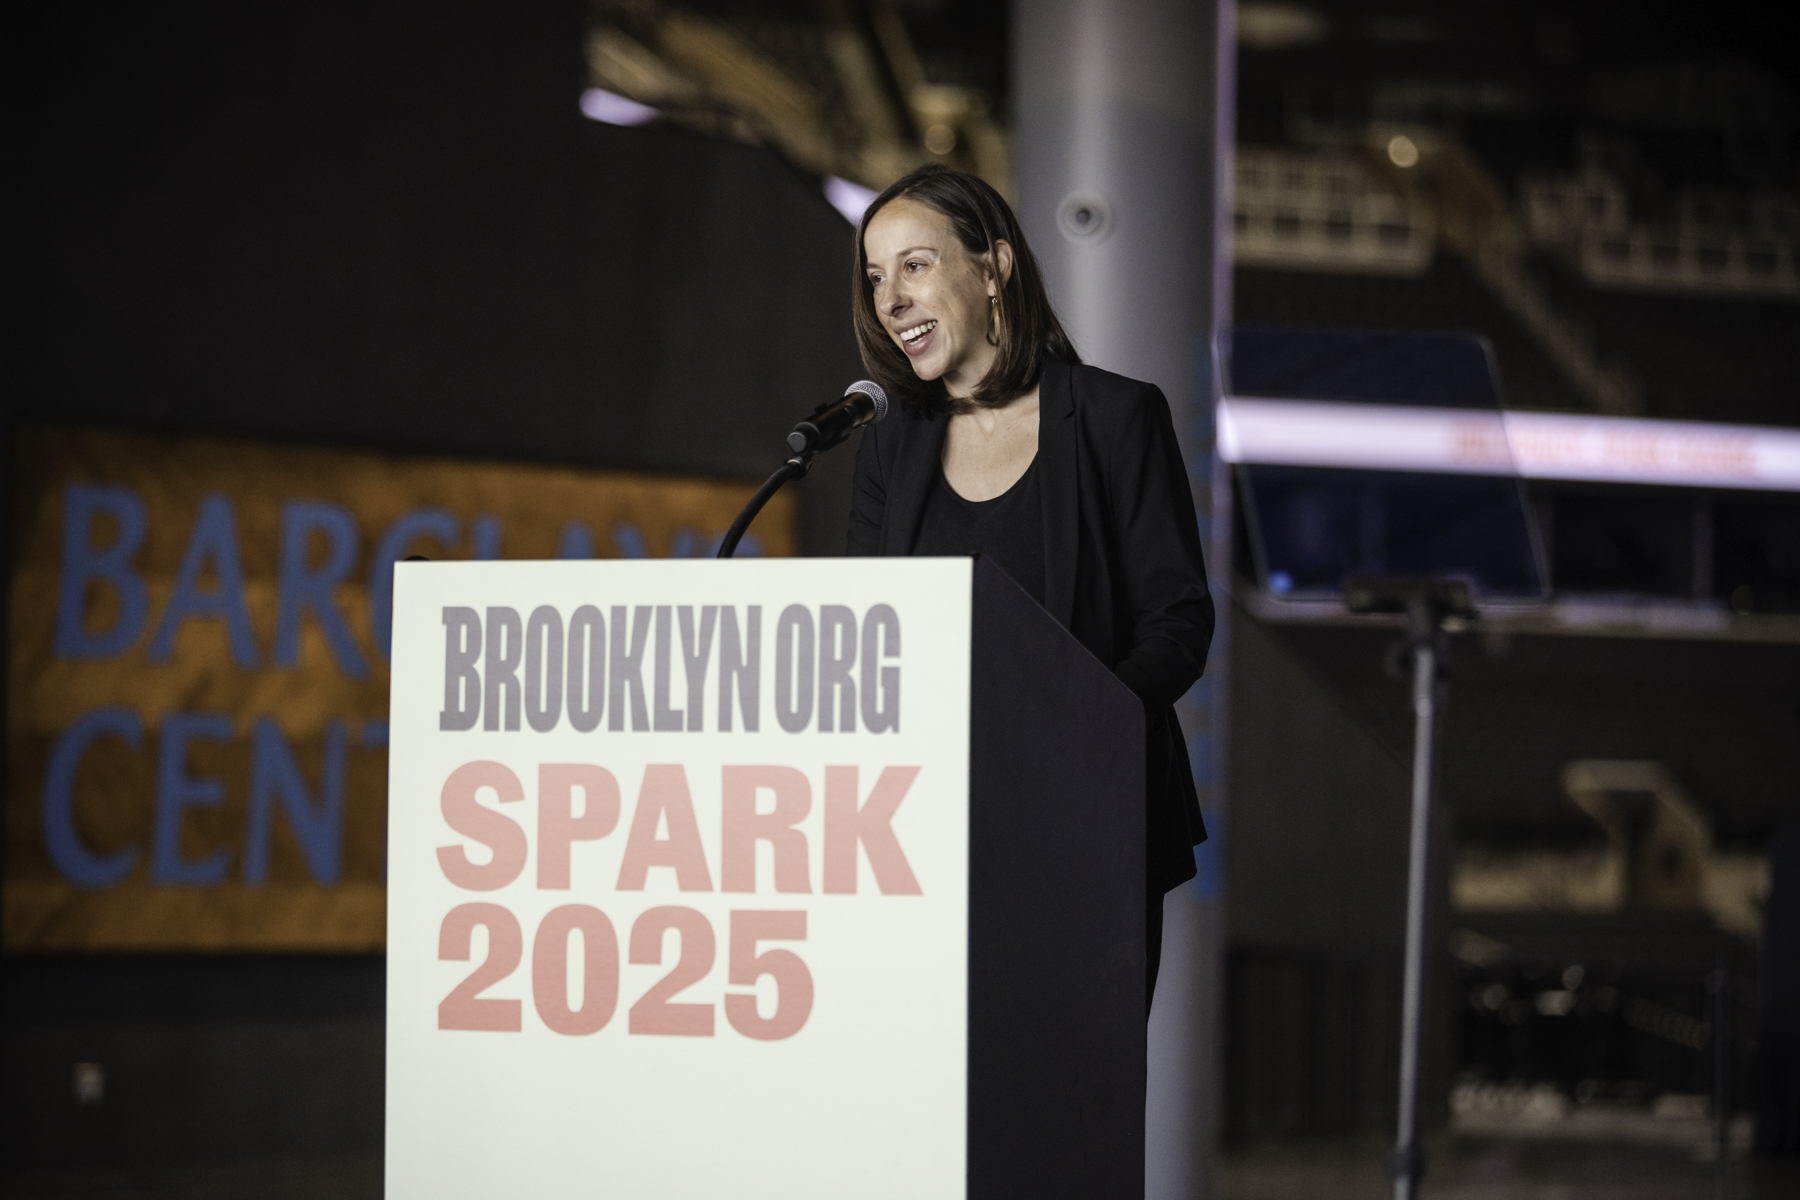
(1029, 325)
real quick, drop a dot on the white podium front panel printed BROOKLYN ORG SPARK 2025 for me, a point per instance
(679, 881)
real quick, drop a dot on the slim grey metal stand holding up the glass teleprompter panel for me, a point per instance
(1426, 605)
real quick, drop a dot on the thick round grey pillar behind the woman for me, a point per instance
(1126, 121)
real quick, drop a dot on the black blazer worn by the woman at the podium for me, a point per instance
(1122, 559)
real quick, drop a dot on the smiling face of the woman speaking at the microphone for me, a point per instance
(931, 294)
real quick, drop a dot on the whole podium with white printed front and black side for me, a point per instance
(791, 879)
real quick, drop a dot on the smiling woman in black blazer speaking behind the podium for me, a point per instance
(1009, 447)
